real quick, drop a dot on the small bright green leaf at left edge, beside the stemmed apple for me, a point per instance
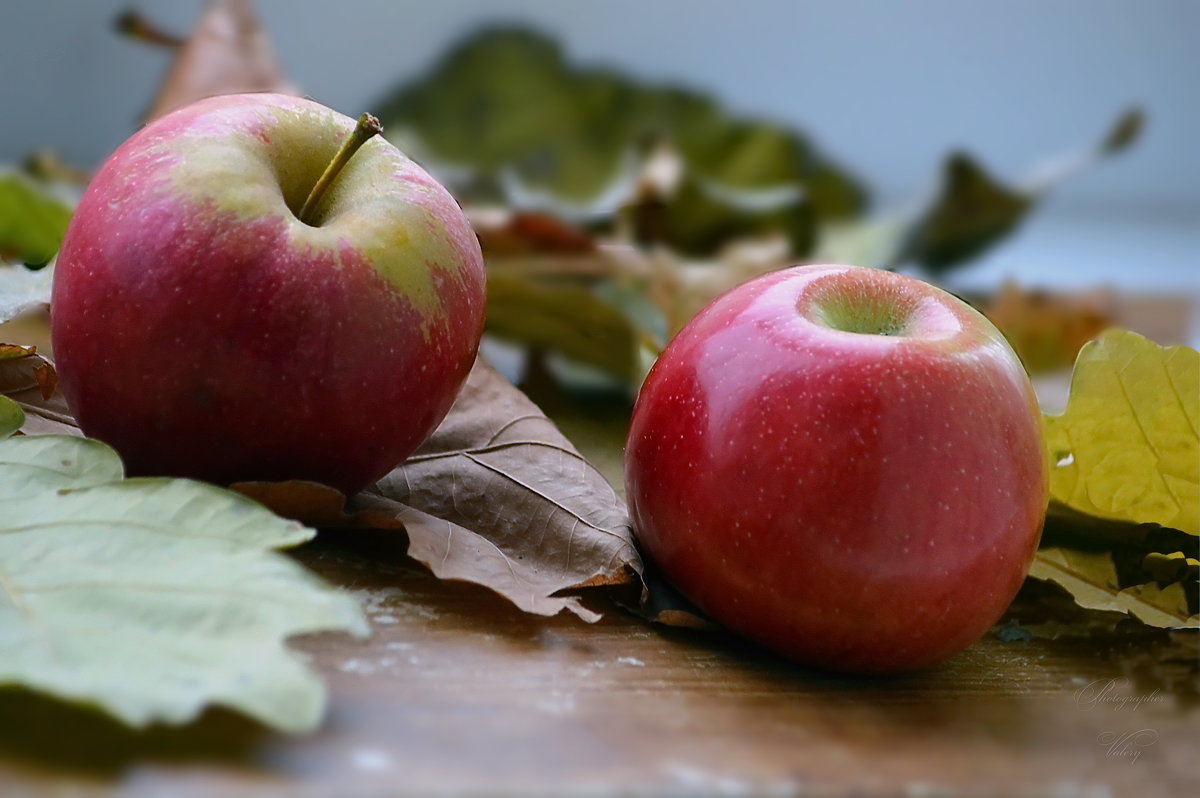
(33, 223)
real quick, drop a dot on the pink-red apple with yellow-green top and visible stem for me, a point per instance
(205, 331)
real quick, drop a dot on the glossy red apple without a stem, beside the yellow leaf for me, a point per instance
(843, 464)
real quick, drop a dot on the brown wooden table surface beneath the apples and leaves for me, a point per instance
(458, 693)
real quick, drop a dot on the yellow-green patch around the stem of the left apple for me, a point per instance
(262, 166)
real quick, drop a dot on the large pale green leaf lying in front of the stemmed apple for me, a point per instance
(153, 599)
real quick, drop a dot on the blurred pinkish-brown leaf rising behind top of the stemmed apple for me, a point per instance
(227, 53)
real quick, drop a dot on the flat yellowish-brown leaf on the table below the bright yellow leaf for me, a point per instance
(1091, 579)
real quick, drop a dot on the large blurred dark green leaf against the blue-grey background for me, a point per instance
(506, 101)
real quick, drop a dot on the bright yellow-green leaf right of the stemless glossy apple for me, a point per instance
(1127, 448)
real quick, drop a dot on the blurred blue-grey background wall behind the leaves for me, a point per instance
(887, 87)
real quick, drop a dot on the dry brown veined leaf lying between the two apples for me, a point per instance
(500, 497)
